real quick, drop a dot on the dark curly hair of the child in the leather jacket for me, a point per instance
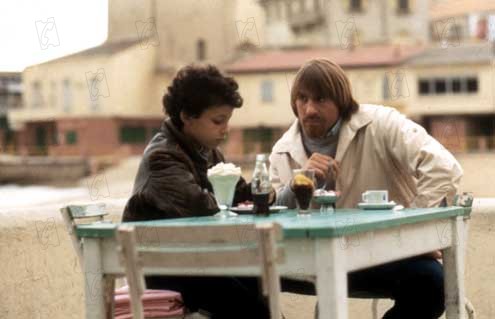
(197, 88)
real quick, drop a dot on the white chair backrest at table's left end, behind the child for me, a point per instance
(72, 213)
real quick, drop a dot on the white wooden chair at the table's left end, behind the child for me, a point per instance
(76, 214)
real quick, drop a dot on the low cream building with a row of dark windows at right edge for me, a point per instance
(453, 95)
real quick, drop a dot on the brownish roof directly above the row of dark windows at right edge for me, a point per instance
(462, 54)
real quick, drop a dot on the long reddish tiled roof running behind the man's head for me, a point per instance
(285, 60)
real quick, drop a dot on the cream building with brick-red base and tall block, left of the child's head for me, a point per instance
(107, 100)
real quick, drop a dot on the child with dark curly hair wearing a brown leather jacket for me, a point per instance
(172, 182)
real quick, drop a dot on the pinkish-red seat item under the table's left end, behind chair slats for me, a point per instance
(158, 304)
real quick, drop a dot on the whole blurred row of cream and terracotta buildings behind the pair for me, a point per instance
(433, 60)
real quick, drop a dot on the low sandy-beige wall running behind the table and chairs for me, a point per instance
(41, 277)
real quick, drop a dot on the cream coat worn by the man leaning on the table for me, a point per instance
(379, 148)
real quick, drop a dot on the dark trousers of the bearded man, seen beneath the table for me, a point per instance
(416, 285)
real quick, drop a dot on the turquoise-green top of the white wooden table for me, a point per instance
(343, 222)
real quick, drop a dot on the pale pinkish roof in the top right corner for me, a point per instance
(452, 8)
